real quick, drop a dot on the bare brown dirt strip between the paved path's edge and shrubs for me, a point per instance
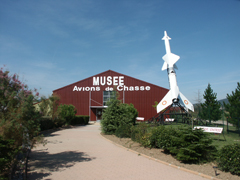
(158, 154)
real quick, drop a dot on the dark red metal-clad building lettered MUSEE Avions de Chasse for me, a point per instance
(90, 95)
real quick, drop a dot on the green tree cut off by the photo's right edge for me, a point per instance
(233, 108)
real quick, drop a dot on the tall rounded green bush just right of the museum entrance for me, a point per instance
(117, 115)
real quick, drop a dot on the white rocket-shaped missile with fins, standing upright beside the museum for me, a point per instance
(174, 95)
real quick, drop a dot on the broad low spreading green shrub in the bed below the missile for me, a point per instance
(187, 145)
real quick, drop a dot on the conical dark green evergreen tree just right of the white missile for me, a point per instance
(210, 109)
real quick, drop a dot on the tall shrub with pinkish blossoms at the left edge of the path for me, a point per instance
(17, 113)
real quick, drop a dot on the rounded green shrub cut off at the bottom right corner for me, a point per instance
(229, 158)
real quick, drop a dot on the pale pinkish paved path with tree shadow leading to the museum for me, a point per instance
(82, 153)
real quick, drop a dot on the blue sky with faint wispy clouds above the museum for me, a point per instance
(53, 43)
